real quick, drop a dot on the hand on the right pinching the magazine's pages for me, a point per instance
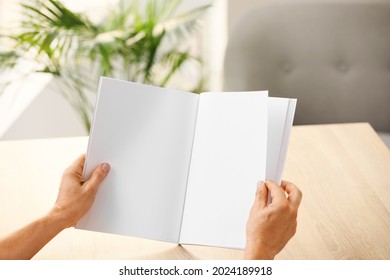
(270, 227)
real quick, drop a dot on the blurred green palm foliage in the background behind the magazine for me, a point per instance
(130, 42)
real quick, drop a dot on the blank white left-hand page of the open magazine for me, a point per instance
(145, 133)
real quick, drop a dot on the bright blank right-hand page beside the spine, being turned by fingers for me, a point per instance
(228, 159)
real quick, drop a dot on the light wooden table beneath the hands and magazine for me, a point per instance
(343, 171)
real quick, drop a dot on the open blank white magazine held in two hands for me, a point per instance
(184, 166)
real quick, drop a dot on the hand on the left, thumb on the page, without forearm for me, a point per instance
(76, 196)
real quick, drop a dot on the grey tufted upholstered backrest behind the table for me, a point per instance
(334, 56)
